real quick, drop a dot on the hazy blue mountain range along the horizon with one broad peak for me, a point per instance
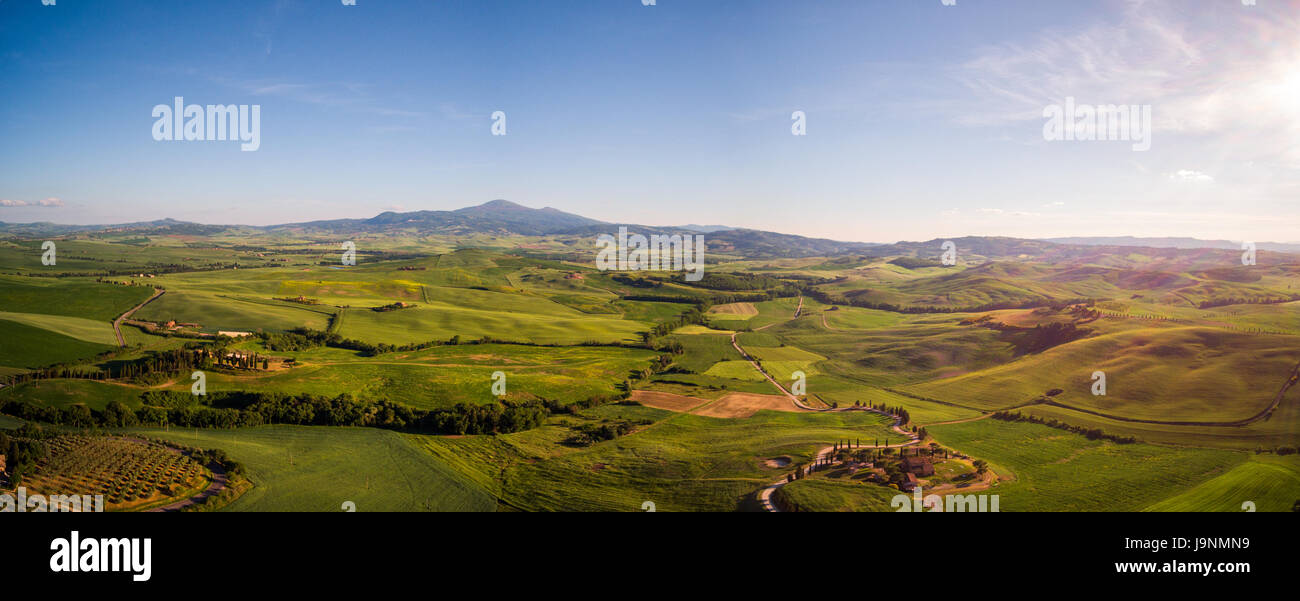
(506, 218)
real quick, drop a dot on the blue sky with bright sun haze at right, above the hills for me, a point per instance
(922, 120)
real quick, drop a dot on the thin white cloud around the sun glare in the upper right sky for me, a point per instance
(1228, 72)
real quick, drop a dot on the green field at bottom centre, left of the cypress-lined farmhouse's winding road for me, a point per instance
(683, 462)
